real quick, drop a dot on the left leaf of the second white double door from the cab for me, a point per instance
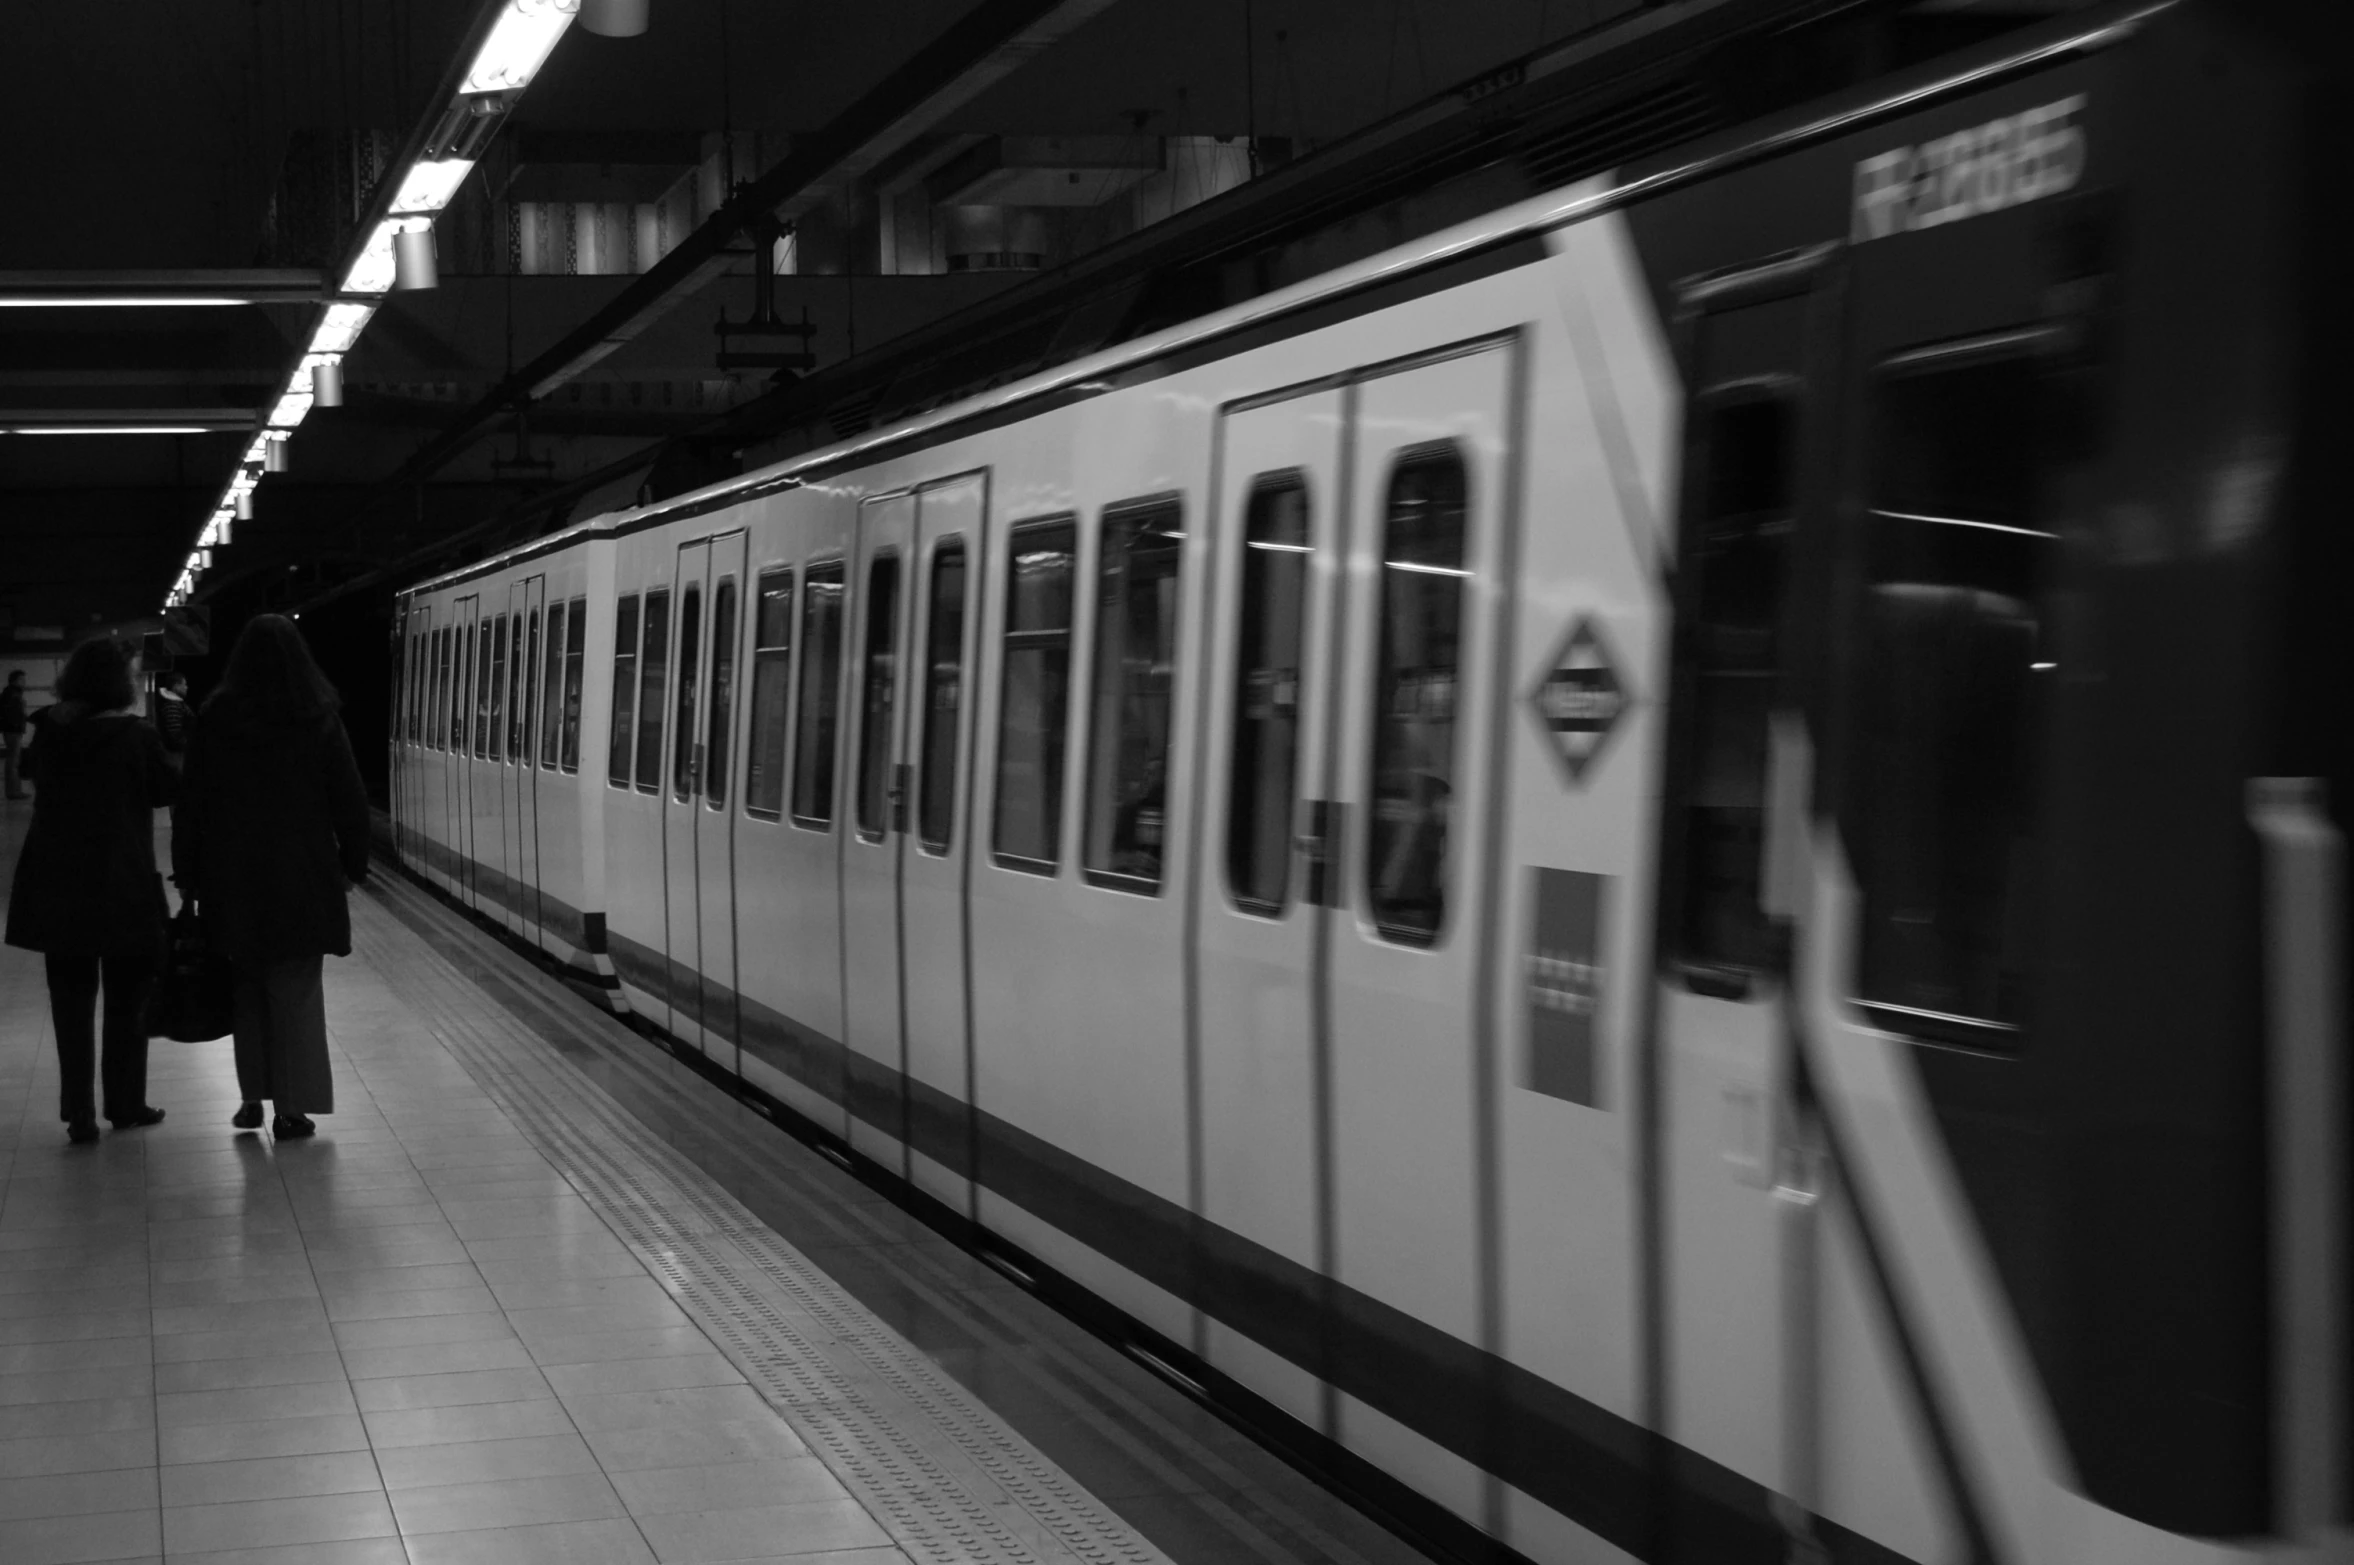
(872, 999)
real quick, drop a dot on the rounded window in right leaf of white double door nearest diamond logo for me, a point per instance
(1409, 834)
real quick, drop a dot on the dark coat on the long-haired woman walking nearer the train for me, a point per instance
(272, 823)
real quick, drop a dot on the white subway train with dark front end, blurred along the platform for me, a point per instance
(1663, 870)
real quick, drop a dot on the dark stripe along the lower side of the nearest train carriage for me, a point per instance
(1569, 1453)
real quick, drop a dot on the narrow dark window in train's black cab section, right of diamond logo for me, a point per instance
(1734, 564)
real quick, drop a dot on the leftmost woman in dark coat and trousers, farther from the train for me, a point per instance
(86, 893)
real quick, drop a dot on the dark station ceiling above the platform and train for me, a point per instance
(215, 135)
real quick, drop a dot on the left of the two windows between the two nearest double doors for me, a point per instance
(1037, 677)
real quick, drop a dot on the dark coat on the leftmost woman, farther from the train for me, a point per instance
(86, 881)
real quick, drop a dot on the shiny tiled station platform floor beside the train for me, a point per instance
(538, 1293)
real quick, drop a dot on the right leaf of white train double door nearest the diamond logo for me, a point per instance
(1404, 933)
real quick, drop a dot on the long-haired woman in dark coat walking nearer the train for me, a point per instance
(272, 827)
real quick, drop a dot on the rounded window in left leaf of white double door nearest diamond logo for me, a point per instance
(1265, 766)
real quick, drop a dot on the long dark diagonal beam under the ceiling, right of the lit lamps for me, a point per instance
(978, 51)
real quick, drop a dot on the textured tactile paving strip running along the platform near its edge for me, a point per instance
(936, 1470)
